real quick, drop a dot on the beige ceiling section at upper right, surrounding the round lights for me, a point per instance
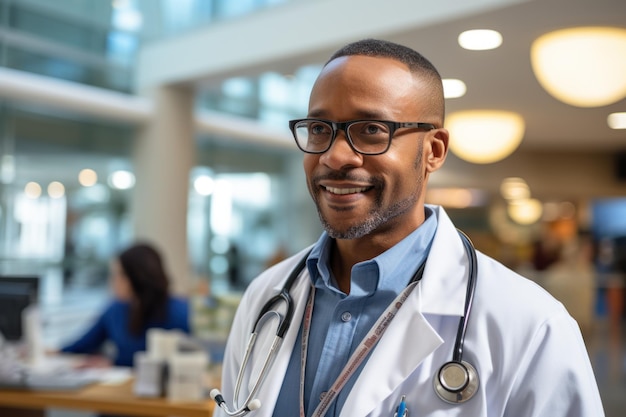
(503, 78)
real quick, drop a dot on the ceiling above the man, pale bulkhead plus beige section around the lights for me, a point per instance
(496, 79)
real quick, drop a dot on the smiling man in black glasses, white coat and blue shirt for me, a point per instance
(390, 263)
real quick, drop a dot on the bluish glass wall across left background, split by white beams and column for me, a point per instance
(80, 227)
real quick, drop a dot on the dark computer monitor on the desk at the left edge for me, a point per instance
(16, 293)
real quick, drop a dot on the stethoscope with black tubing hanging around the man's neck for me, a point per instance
(455, 382)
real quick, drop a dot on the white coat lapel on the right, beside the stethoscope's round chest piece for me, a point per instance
(410, 338)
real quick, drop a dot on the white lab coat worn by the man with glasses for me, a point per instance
(528, 351)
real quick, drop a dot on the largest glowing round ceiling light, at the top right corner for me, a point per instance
(583, 66)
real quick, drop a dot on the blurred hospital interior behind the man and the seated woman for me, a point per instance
(167, 121)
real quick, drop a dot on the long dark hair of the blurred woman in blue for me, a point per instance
(144, 268)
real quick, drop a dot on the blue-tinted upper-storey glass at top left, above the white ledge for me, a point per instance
(97, 42)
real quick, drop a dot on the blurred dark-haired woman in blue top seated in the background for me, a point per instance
(141, 301)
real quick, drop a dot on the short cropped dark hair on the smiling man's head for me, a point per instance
(415, 61)
